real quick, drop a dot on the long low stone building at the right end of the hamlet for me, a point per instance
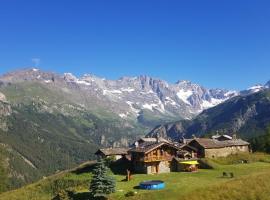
(219, 146)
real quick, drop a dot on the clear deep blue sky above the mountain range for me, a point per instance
(223, 43)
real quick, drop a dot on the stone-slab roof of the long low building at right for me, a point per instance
(212, 143)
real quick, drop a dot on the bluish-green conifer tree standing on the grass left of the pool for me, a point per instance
(101, 184)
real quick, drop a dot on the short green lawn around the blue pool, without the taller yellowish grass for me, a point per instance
(181, 184)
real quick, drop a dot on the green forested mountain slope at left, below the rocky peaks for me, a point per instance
(45, 131)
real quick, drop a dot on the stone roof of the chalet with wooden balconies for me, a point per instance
(149, 146)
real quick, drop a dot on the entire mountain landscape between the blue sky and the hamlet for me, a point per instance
(51, 122)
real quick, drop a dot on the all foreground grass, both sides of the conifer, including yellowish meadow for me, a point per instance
(179, 185)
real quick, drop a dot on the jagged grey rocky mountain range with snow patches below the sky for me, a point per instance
(130, 97)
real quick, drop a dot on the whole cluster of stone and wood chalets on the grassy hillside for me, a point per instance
(158, 155)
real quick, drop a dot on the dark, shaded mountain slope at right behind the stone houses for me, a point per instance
(248, 115)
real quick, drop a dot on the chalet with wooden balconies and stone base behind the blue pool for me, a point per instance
(152, 155)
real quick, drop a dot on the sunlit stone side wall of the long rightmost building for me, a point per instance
(226, 151)
